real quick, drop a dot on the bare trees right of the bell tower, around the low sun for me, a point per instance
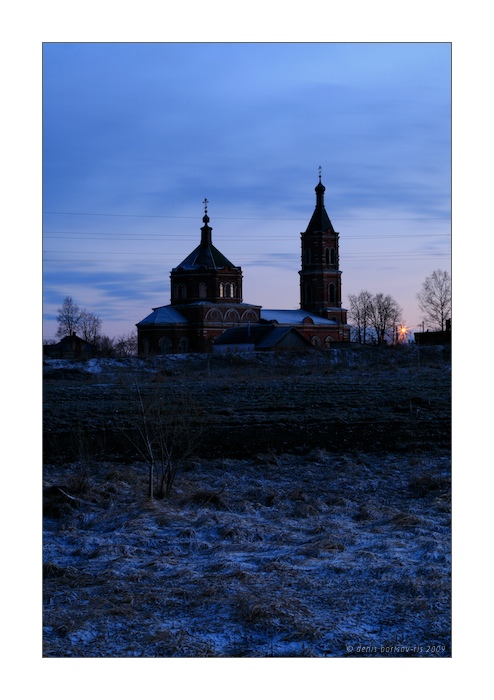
(377, 318)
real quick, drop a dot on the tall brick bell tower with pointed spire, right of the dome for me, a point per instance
(320, 276)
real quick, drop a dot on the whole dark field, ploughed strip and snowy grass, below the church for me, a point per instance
(309, 515)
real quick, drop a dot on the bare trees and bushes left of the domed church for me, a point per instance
(87, 325)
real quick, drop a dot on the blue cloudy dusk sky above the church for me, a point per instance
(137, 135)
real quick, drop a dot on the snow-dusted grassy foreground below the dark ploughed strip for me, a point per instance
(283, 555)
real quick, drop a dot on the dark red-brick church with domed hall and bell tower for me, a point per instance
(206, 295)
